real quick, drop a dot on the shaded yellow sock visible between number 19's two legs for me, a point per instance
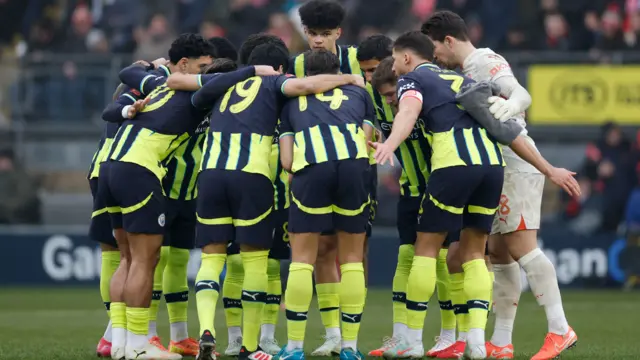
(232, 291)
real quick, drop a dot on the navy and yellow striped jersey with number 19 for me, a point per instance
(243, 123)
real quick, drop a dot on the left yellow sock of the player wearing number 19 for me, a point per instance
(208, 289)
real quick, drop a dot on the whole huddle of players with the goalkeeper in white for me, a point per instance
(256, 157)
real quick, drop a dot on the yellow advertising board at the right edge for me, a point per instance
(584, 94)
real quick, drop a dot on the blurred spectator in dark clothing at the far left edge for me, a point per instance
(19, 193)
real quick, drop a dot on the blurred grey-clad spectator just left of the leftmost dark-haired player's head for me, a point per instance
(155, 40)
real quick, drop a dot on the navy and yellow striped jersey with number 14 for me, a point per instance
(328, 126)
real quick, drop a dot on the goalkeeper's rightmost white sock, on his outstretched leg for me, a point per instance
(544, 284)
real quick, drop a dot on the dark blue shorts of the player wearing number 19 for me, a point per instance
(234, 205)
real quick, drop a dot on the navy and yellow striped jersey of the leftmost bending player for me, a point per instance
(153, 136)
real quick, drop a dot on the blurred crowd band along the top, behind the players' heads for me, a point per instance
(145, 27)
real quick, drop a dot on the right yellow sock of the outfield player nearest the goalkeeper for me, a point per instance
(477, 289)
